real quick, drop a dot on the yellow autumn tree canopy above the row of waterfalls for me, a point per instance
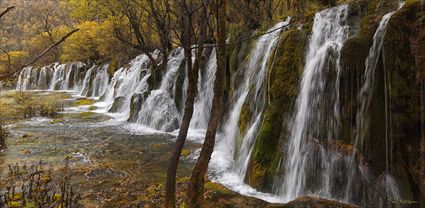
(110, 30)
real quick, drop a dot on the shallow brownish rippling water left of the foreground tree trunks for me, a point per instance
(110, 163)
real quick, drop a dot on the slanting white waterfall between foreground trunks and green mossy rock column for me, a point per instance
(252, 86)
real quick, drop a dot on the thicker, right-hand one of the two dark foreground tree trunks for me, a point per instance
(196, 187)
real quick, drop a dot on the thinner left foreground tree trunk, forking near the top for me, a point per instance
(170, 187)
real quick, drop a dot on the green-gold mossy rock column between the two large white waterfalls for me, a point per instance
(282, 84)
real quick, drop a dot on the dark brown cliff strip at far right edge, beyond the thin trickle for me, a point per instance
(403, 54)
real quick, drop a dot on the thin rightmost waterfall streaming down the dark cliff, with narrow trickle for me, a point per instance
(365, 97)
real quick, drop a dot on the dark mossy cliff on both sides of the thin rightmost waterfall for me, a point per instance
(395, 109)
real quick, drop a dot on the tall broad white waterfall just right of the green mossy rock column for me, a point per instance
(312, 121)
